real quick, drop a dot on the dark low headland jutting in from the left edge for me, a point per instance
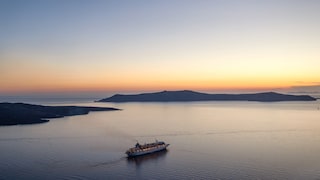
(20, 113)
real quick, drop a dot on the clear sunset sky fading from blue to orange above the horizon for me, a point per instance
(79, 46)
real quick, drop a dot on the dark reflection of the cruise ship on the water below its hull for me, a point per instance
(154, 157)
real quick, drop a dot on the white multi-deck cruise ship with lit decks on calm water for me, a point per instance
(139, 149)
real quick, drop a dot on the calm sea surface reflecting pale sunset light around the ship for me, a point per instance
(208, 140)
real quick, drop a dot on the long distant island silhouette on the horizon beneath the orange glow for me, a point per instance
(186, 95)
